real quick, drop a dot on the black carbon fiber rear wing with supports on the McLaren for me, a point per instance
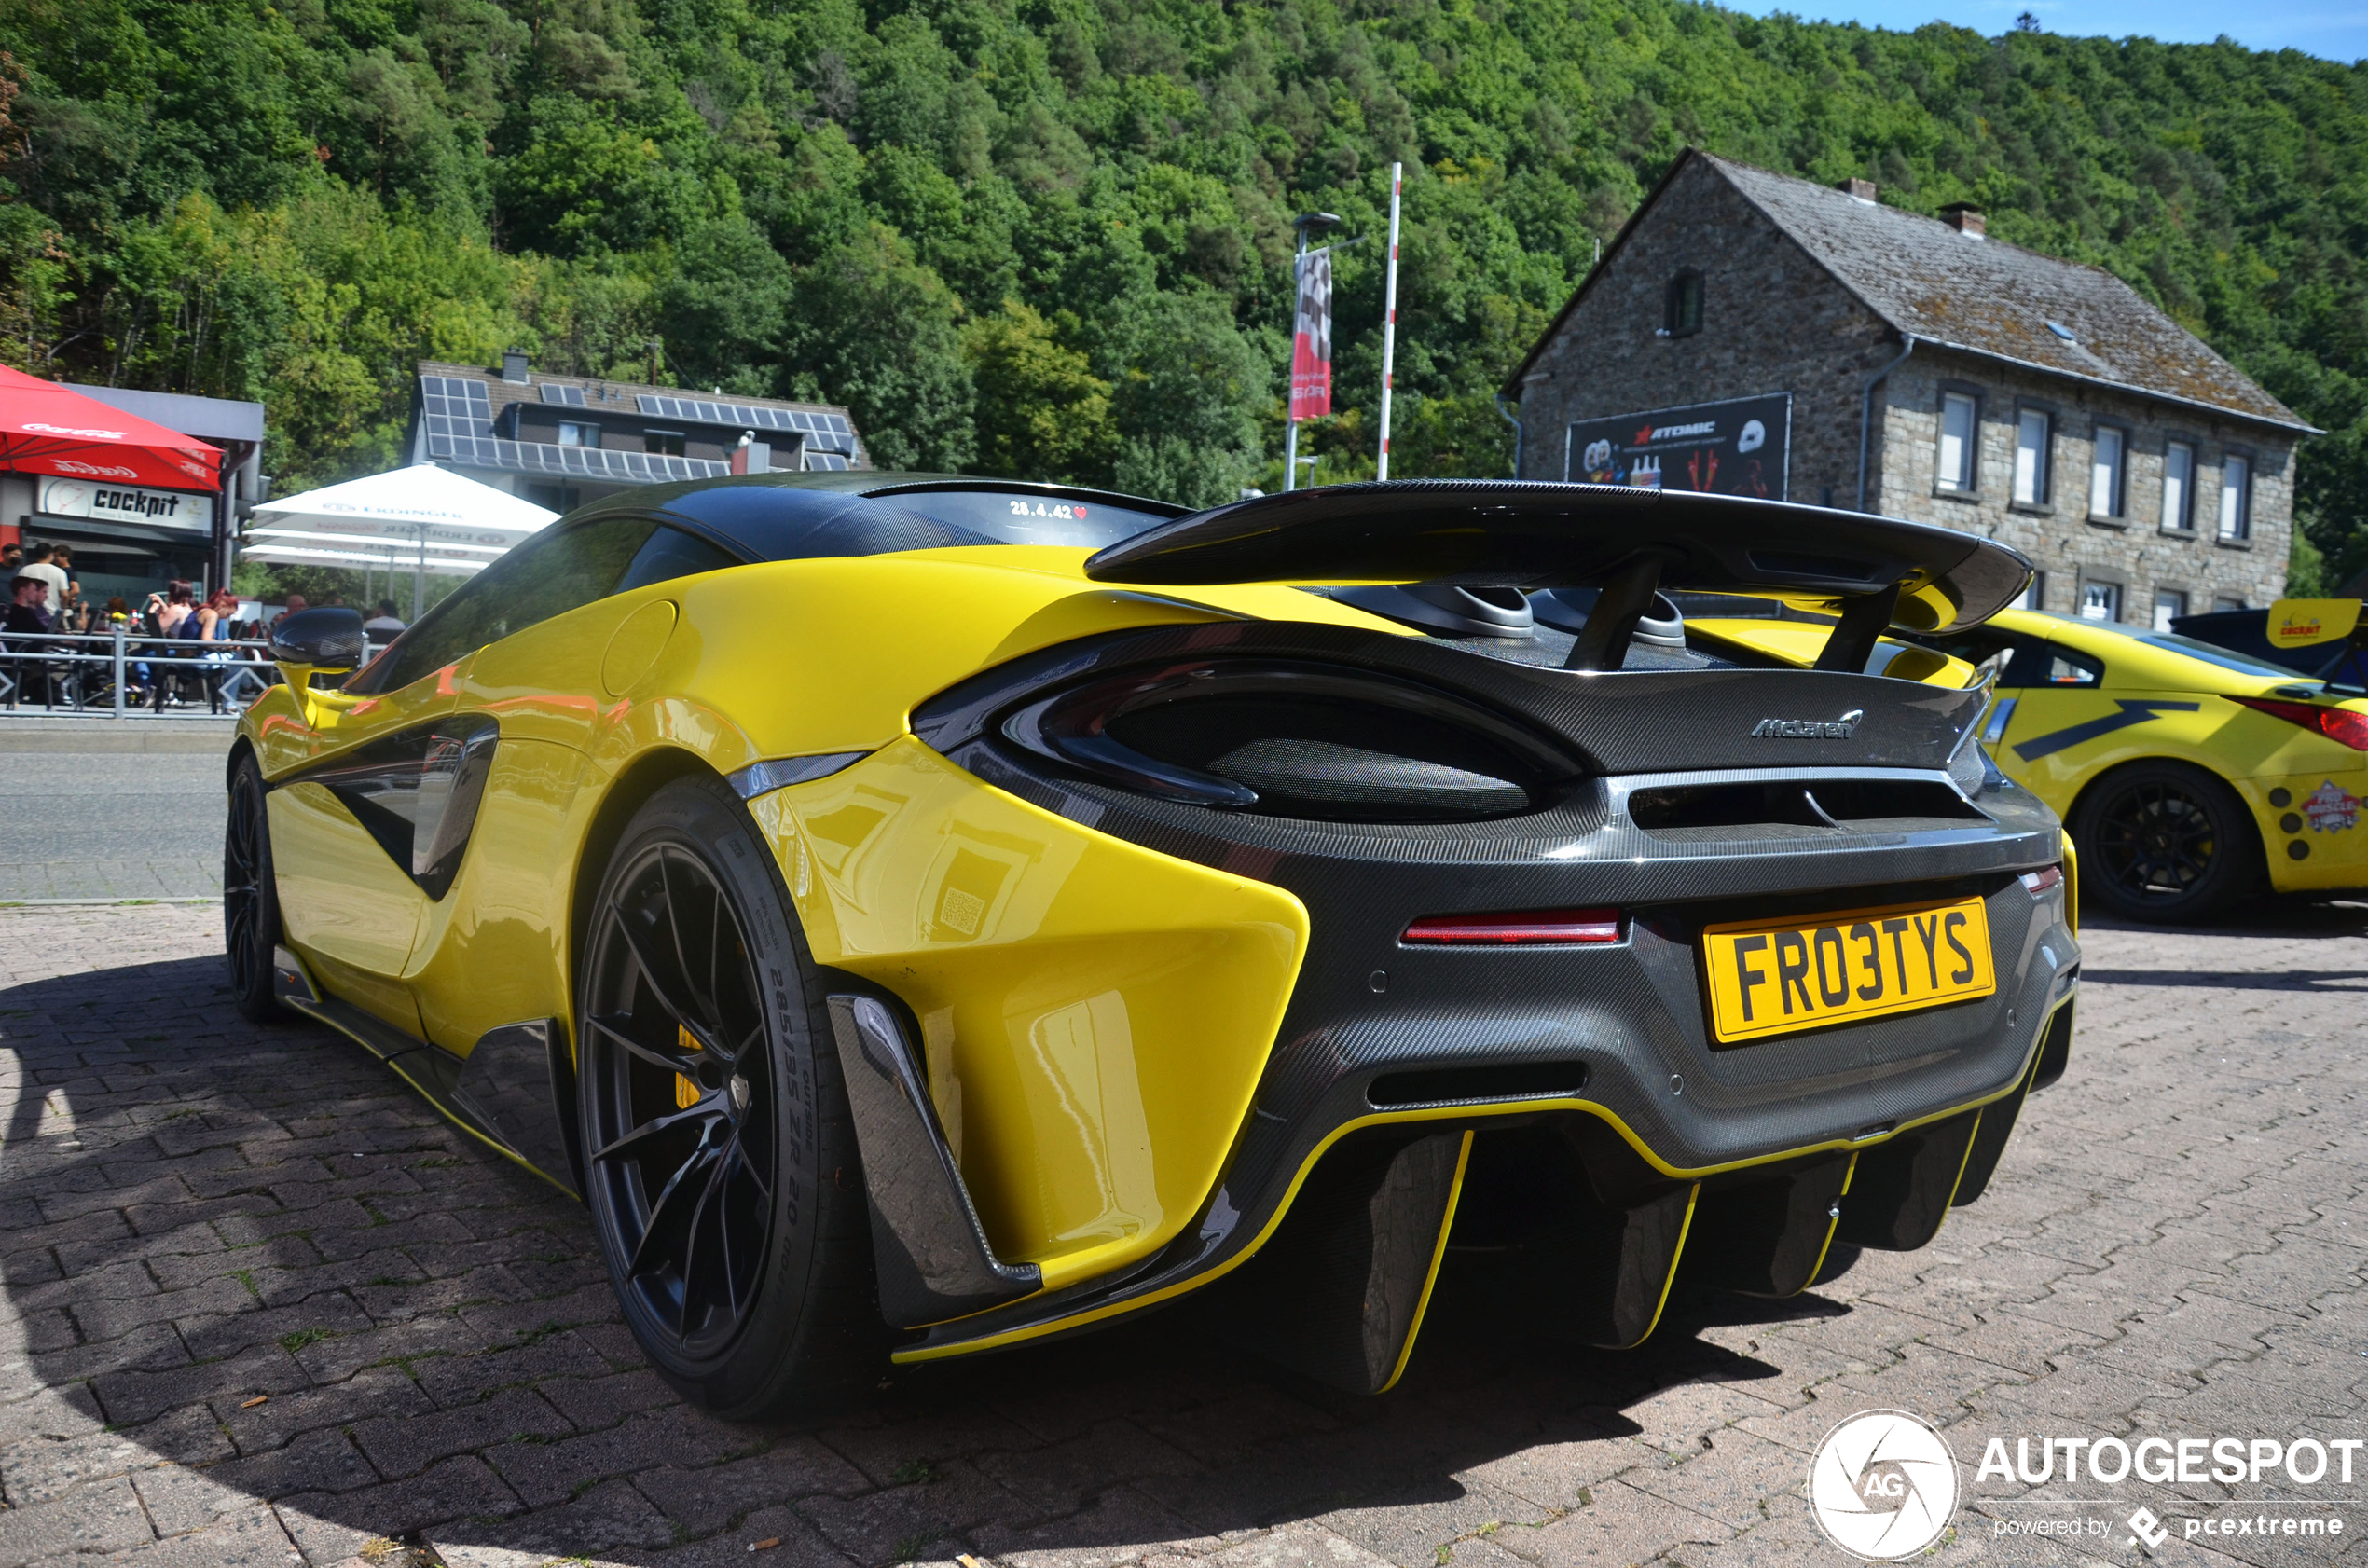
(1630, 544)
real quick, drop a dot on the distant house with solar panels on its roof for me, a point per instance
(562, 442)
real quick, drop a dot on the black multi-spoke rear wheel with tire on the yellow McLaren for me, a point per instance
(719, 1150)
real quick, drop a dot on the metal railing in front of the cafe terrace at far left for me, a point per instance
(91, 674)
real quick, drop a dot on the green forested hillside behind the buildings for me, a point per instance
(1053, 236)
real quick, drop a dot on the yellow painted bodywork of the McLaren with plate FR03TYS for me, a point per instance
(1095, 1015)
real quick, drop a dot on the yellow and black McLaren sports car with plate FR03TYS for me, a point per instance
(927, 915)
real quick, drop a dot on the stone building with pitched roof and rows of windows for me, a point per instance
(1768, 335)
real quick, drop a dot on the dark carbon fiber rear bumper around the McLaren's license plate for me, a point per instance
(1623, 1020)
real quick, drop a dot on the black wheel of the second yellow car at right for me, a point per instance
(2166, 842)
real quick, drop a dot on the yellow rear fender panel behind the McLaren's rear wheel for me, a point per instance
(1095, 1015)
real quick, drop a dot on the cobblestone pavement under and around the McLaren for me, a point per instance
(264, 1309)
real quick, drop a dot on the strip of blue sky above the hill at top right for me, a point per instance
(2331, 30)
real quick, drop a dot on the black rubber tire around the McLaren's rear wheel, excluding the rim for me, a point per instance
(754, 1368)
